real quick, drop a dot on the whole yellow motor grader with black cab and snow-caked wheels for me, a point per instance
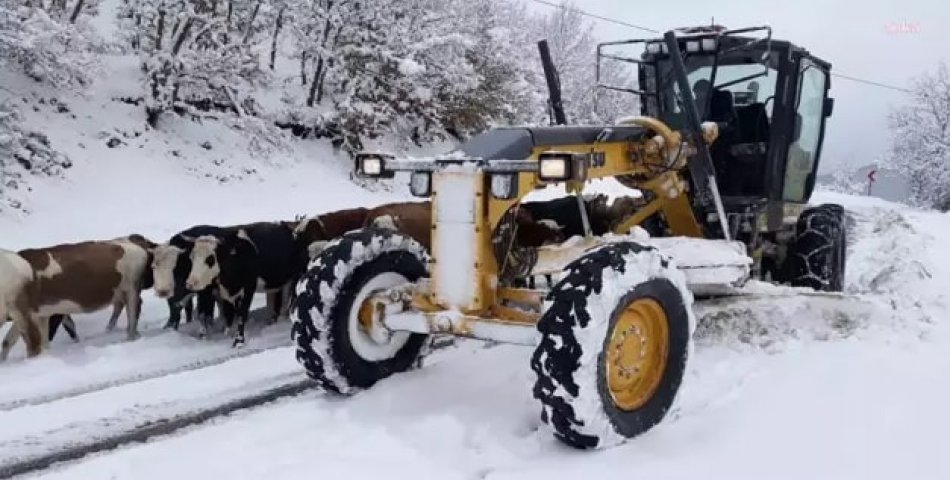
(724, 151)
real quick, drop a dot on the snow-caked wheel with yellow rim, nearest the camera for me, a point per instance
(614, 346)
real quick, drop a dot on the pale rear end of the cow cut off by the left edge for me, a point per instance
(16, 283)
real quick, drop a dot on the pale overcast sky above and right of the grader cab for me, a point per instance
(887, 41)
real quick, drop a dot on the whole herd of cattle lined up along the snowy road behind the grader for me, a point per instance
(40, 288)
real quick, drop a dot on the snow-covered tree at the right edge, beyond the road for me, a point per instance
(921, 140)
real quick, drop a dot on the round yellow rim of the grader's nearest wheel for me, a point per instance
(636, 354)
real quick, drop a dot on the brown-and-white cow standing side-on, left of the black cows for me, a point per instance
(86, 277)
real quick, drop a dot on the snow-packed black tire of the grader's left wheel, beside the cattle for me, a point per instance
(332, 346)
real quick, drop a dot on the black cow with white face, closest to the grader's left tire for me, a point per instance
(237, 264)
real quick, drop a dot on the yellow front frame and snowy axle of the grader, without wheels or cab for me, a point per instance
(483, 313)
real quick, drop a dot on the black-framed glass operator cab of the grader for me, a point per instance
(769, 97)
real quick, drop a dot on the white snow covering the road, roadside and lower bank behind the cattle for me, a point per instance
(778, 388)
